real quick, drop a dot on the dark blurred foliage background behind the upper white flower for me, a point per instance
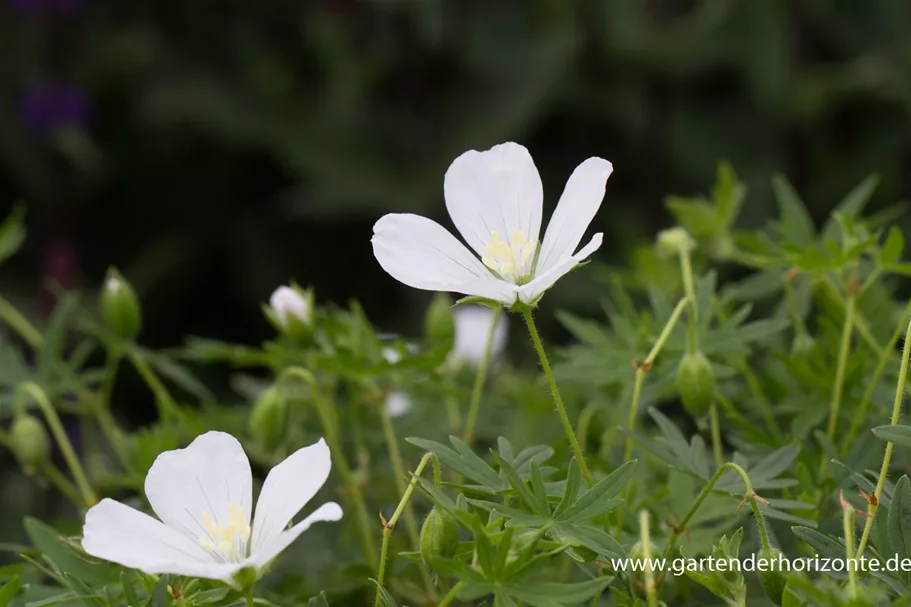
(213, 150)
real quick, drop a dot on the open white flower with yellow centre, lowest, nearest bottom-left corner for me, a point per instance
(204, 497)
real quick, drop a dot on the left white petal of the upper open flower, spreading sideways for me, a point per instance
(423, 254)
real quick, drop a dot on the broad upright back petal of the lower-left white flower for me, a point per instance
(211, 474)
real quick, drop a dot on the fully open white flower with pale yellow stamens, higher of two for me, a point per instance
(495, 200)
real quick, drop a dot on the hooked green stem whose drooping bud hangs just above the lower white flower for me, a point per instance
(330, 428)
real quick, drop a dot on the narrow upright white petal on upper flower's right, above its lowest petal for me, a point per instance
(580, 201)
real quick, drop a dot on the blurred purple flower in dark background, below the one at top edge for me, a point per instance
(49, 108)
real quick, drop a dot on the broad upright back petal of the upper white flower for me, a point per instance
(496, 190)
